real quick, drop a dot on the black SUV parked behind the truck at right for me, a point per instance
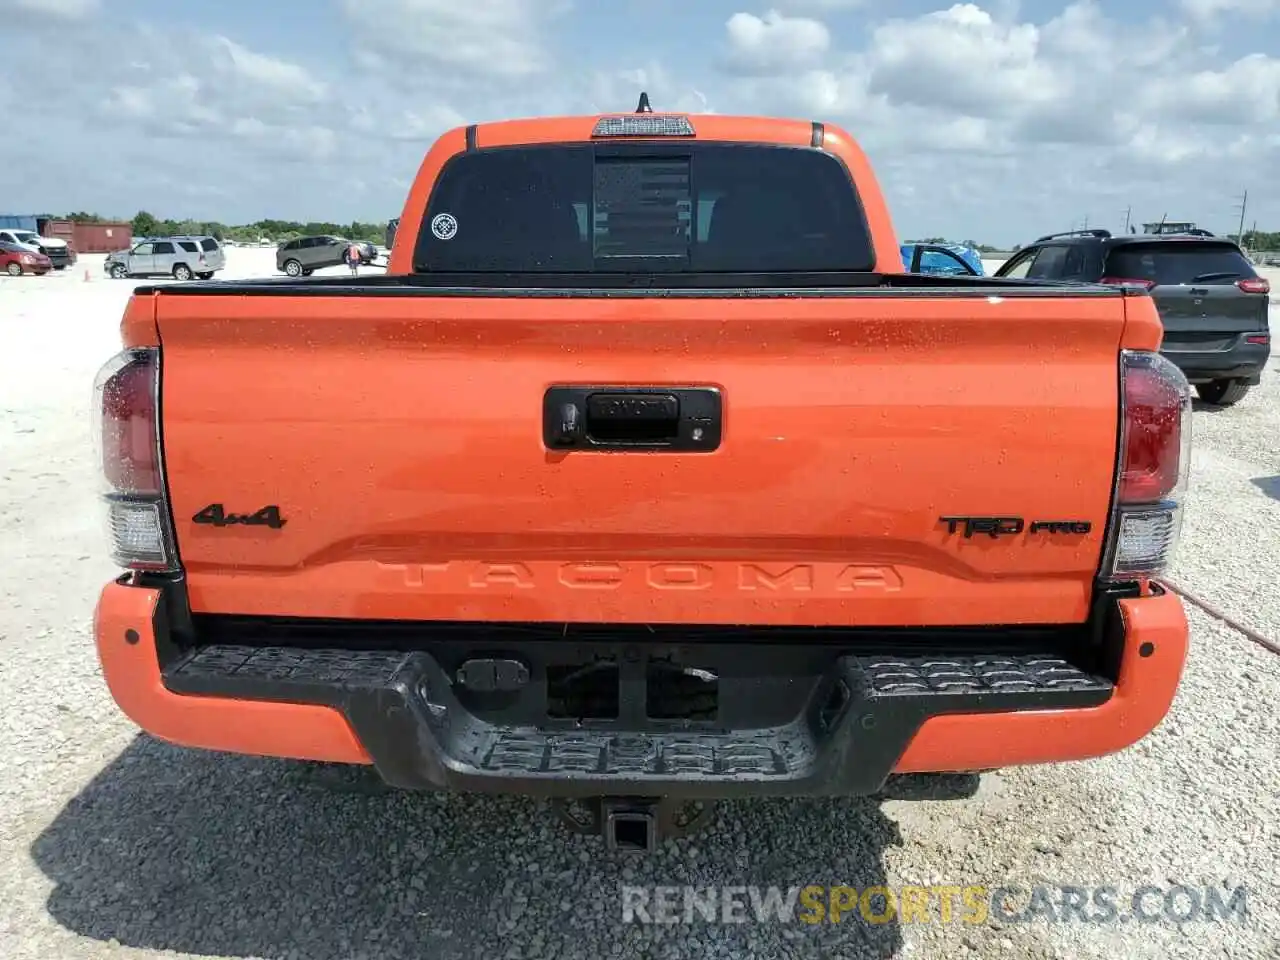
(1212, 300)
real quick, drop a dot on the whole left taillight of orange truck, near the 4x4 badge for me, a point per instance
(127, 438)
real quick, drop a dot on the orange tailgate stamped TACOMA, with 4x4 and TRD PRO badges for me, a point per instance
(401, 438)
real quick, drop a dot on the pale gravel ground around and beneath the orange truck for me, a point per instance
(113, 844)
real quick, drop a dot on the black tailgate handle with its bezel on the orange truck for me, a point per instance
(633, 418)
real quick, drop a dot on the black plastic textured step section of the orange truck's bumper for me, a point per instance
(405, 711)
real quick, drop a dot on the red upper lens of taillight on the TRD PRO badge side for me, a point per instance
(1154, 403)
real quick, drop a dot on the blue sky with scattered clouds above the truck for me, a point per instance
(995, 121)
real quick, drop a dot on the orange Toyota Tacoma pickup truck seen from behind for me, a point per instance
(644, 477)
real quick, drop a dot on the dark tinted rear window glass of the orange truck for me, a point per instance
(639, 209)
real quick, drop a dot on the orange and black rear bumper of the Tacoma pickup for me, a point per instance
(794, 717)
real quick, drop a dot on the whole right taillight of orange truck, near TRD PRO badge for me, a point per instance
(1153, 467)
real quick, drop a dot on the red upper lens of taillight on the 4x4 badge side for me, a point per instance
(130, 440)
